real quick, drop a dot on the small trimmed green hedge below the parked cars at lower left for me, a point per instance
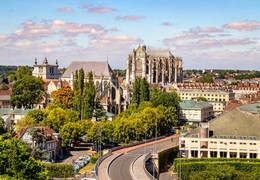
(60, 170)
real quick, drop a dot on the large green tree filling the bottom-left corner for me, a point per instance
(16, 162)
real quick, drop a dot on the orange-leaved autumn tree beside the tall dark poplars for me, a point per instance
(63, 97)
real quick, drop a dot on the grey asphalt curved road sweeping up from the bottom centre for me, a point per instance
(120, 167)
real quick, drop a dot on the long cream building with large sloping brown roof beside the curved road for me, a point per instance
(235, 133)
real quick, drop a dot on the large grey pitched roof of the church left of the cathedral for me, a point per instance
(97, 67)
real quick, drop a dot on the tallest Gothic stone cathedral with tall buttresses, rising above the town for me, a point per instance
(158, 66)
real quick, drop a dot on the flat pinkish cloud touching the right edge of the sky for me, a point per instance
(246, 26)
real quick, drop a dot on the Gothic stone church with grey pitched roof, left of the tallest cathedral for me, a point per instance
(106, 83)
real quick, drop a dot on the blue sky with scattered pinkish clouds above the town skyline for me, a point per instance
(206, 34)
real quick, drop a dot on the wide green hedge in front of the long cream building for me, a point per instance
(217, 168)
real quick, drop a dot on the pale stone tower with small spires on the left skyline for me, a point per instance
(46, 70)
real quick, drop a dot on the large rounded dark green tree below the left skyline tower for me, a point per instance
(27, 91)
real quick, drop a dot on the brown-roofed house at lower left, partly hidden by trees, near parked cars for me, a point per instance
(45, 138)
